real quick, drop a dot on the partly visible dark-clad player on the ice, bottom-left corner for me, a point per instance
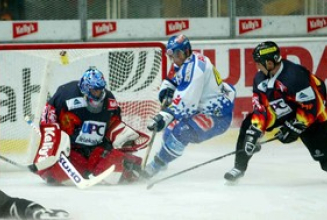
(17, 208)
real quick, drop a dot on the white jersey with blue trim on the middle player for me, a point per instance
(199, 88)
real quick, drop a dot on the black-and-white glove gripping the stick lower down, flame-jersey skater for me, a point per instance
(251, 140)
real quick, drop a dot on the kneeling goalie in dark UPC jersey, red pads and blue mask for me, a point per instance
(89, 113)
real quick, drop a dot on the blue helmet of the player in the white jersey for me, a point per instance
(176, 43)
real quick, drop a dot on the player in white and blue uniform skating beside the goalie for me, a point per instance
(197, 104)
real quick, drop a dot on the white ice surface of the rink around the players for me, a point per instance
(282, 182)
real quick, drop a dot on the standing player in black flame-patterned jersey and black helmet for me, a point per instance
(285, 96)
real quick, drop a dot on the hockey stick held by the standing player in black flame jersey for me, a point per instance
(202, 164)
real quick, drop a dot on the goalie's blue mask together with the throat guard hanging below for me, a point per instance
(92, 86)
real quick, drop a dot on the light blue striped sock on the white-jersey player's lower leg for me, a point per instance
(171, 148)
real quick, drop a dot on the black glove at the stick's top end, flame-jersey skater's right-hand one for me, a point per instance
(290, 131)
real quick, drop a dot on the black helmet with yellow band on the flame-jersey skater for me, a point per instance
(267, 50)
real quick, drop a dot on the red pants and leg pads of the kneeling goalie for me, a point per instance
(99, 161)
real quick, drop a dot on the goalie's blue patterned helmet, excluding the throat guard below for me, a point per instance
(92, 79)
